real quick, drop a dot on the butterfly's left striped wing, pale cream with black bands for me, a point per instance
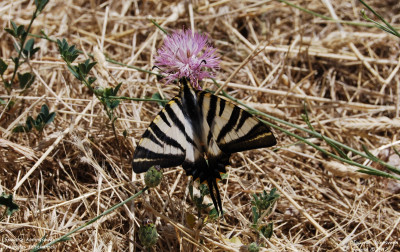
(165, 140)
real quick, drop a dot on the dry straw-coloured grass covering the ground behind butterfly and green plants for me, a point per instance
(347, 75)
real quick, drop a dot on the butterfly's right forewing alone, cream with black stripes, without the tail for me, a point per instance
(232, 128)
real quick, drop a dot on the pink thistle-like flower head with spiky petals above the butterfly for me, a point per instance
(185, 54)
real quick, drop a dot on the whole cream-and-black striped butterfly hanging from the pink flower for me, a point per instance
(199, 131)
